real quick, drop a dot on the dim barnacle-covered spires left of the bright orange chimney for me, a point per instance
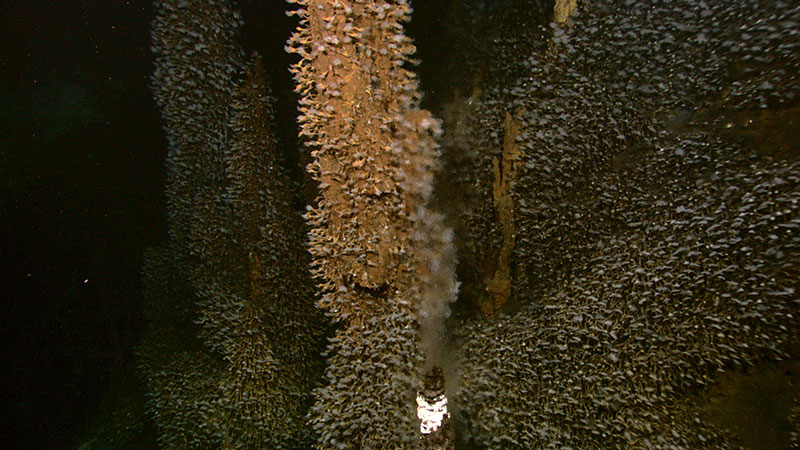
(231, 354)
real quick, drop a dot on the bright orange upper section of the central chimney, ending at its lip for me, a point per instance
(372, 145)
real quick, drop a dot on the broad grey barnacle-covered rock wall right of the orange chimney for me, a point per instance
(653, 248)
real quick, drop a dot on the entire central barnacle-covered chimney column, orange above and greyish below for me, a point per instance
(373, 156)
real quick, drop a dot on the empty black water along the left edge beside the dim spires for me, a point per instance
(81, 157)
